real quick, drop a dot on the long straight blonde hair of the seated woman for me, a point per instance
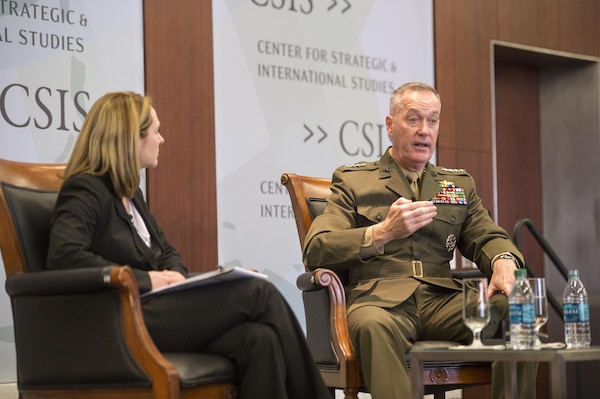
(108, 143)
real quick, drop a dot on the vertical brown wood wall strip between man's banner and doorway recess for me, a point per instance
(462, 59)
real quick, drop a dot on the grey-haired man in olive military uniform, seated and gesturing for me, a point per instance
(395, 224)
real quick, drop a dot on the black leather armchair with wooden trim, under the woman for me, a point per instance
(80, 333)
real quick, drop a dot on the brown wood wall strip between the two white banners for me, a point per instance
(179, 77)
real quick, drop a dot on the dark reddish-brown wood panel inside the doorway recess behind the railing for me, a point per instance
(518, 139)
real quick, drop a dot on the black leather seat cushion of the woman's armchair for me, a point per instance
(200, 368)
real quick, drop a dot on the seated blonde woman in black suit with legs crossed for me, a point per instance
(101, 219)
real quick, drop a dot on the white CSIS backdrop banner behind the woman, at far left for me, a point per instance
(56, 59)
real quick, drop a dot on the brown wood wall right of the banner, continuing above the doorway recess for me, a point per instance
(463, 32)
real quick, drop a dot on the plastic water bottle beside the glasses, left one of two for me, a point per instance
(522, 313)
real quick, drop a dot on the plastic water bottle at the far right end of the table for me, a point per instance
(576, 313)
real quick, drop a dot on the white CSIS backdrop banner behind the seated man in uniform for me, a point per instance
(302, 86)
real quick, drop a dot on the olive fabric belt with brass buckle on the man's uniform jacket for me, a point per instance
(400, 269)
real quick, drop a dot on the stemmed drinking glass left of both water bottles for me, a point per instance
(476, 308)
